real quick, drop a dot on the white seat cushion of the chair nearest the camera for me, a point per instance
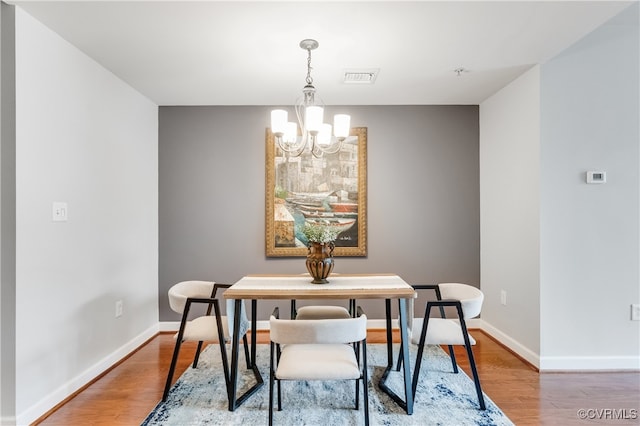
(318, 362)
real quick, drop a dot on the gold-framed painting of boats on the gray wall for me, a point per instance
(331, 189)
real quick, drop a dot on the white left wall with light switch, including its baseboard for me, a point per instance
(85, 138)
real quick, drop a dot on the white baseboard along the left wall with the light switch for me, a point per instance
(37, 410)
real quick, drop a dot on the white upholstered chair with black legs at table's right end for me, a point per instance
(467, 303)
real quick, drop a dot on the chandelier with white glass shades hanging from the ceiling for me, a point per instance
(315, 135)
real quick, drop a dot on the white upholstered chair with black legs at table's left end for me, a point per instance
(207, 327)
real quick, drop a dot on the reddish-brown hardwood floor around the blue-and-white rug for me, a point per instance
(128, 392)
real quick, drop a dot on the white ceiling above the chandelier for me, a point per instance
(247, 53)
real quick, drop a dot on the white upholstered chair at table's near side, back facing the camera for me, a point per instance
(318, 349)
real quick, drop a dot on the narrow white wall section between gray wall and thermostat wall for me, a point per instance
(509, 213)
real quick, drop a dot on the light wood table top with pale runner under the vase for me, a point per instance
(343, 286)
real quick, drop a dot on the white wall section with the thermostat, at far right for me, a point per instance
(589, 233)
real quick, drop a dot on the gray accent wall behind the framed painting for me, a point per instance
(423, 197)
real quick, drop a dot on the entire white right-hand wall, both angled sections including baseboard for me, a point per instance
(567, 253)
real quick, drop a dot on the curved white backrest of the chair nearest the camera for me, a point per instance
(324, 331)
